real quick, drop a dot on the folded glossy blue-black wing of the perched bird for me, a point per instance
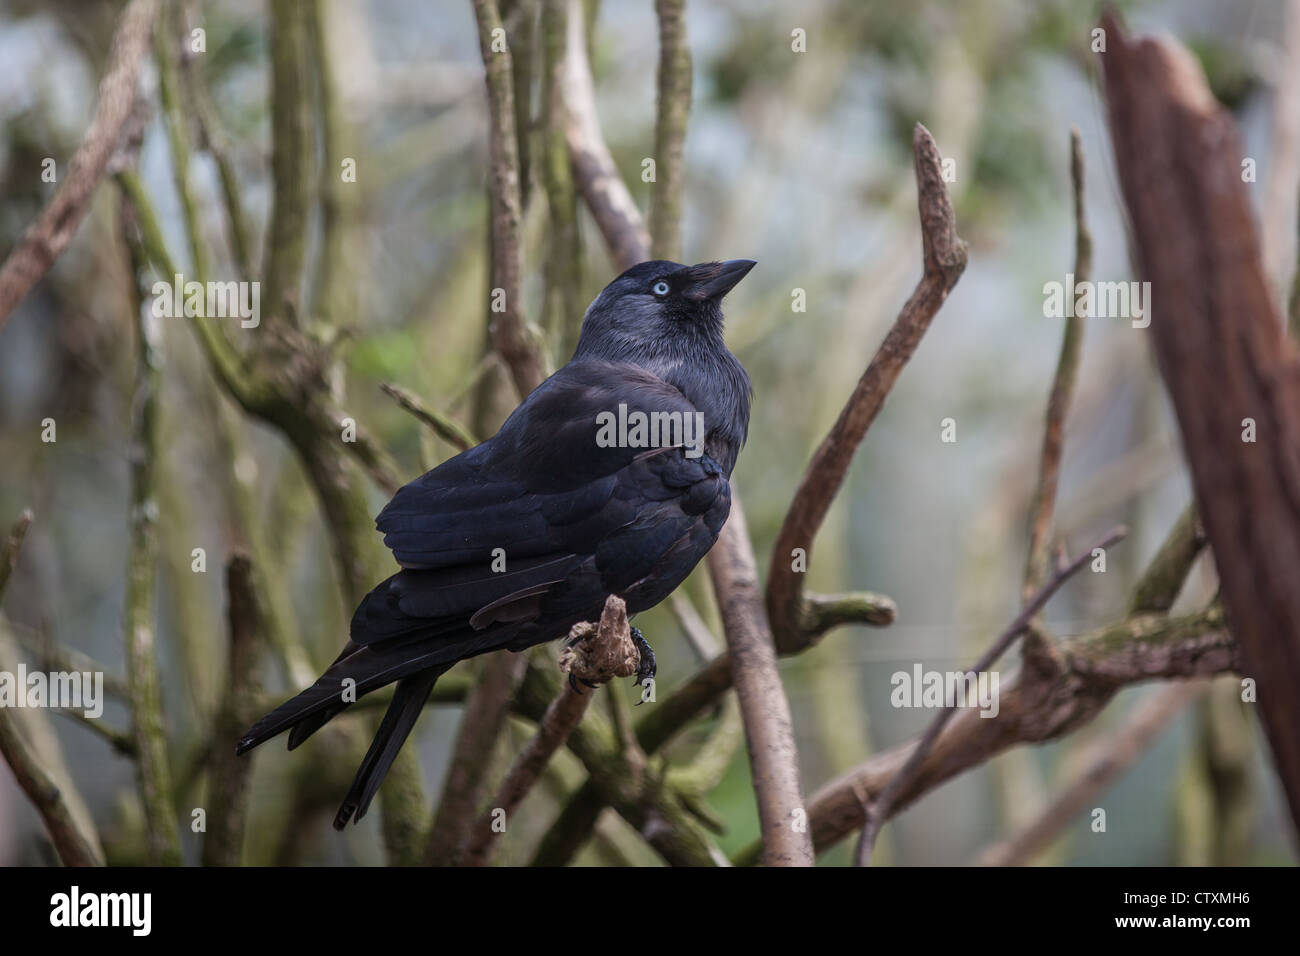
(489, 534)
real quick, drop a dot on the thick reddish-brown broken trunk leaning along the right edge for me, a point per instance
(1223, 352)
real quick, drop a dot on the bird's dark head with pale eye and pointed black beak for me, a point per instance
(660, 304)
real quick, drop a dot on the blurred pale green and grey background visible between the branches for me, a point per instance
(801, 162)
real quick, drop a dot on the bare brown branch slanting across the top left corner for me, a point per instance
(47, 237)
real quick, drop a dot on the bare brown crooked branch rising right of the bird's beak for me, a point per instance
(944, 261)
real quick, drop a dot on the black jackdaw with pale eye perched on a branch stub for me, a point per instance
(514, 542)
